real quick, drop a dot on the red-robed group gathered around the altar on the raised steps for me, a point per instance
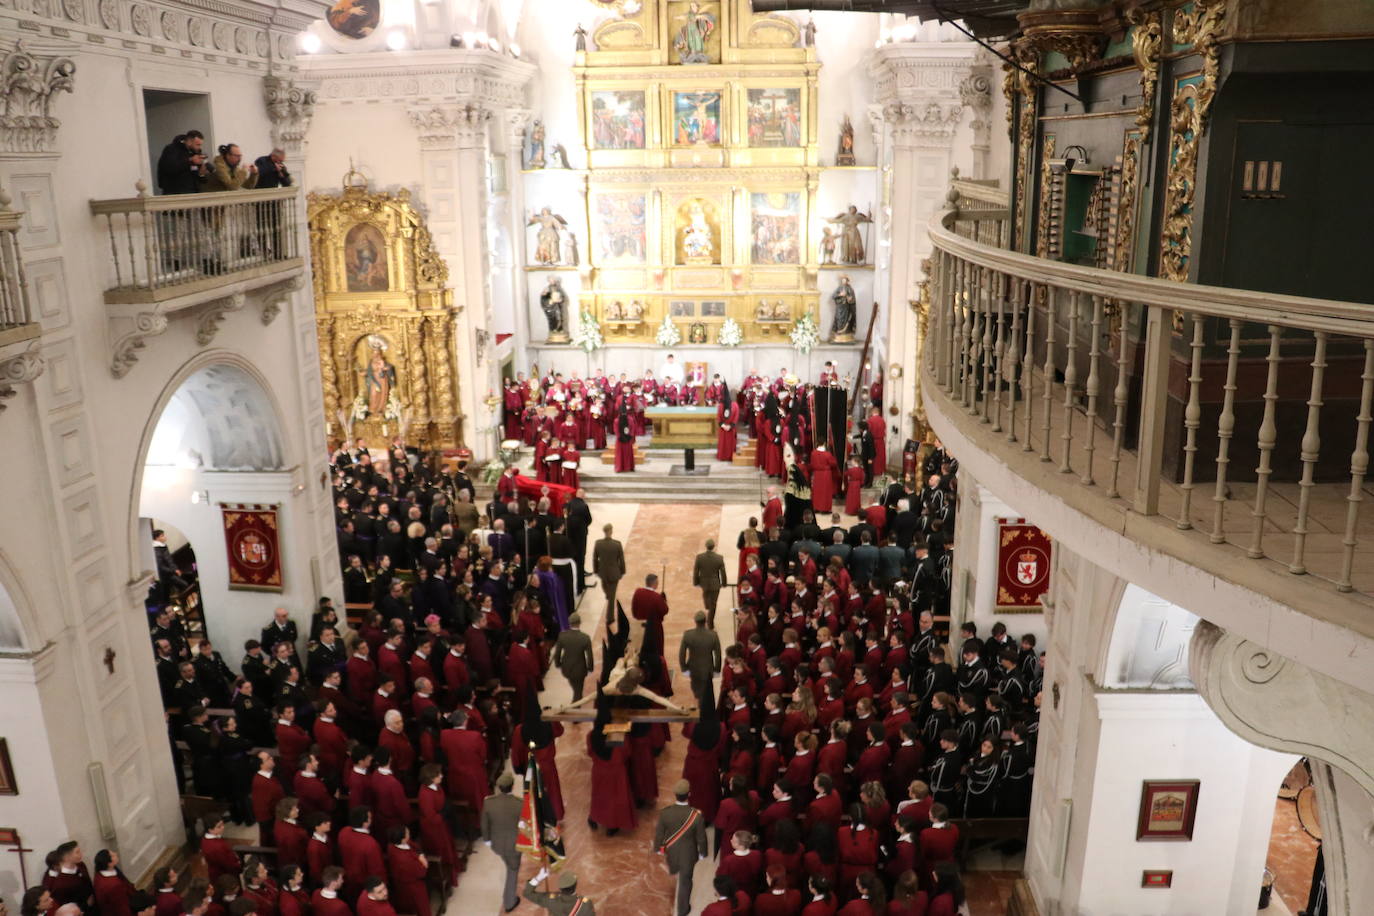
(560, 417)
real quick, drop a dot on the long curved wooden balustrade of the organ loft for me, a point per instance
(1075, 363)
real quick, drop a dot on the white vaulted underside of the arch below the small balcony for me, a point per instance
(237, 392)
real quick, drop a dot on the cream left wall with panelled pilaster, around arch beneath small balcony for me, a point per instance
(76, 564)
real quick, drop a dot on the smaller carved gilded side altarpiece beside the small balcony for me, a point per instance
(385, 319)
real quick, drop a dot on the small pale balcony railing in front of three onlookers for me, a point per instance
(168, 247)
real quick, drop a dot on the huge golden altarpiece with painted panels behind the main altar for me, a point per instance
(700, 126)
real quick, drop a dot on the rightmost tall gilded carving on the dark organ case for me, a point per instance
(1188, 123)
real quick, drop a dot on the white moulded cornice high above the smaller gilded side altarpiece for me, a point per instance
(476, 78)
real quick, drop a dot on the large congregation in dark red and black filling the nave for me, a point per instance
(847, 741)
